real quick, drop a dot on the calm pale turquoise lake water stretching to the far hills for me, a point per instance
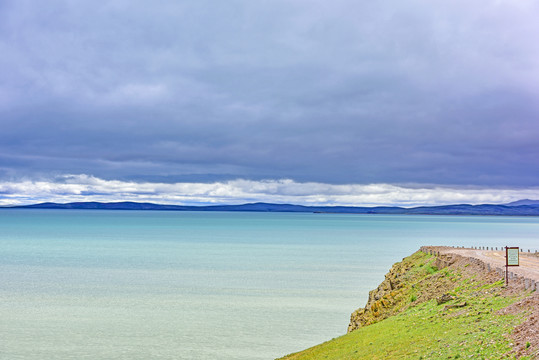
(91, 284)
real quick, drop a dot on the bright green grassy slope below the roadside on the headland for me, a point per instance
(422, 329)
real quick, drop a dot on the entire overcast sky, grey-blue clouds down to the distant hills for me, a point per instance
(347, 102)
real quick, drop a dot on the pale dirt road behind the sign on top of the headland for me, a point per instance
(529, 263)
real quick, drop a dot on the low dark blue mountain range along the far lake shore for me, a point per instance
(520, 208)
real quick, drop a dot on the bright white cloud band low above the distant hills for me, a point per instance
(87, 188)
